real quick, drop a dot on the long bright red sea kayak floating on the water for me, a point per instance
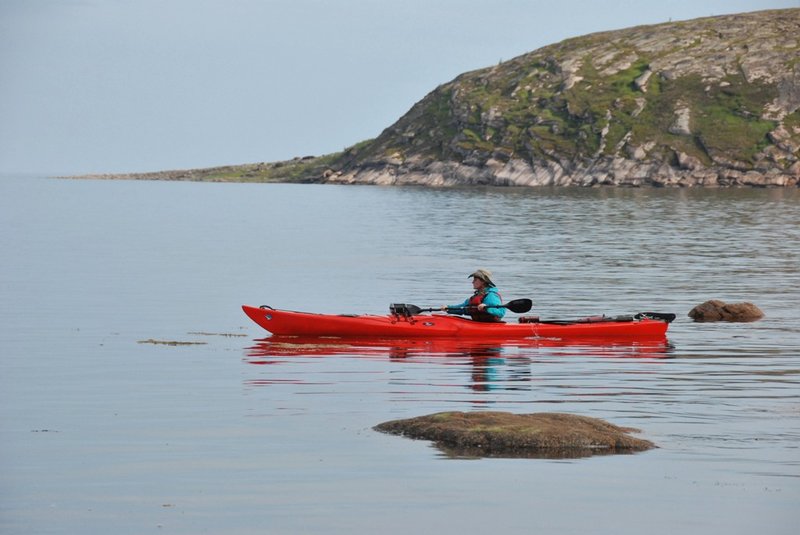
(645, 325)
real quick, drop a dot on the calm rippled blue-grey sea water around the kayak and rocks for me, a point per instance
(100, 433)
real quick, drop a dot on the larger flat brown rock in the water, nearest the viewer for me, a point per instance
(502, 434)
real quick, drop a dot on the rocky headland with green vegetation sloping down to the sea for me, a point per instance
(706, 102)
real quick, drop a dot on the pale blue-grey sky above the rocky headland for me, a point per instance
(143, 85)
